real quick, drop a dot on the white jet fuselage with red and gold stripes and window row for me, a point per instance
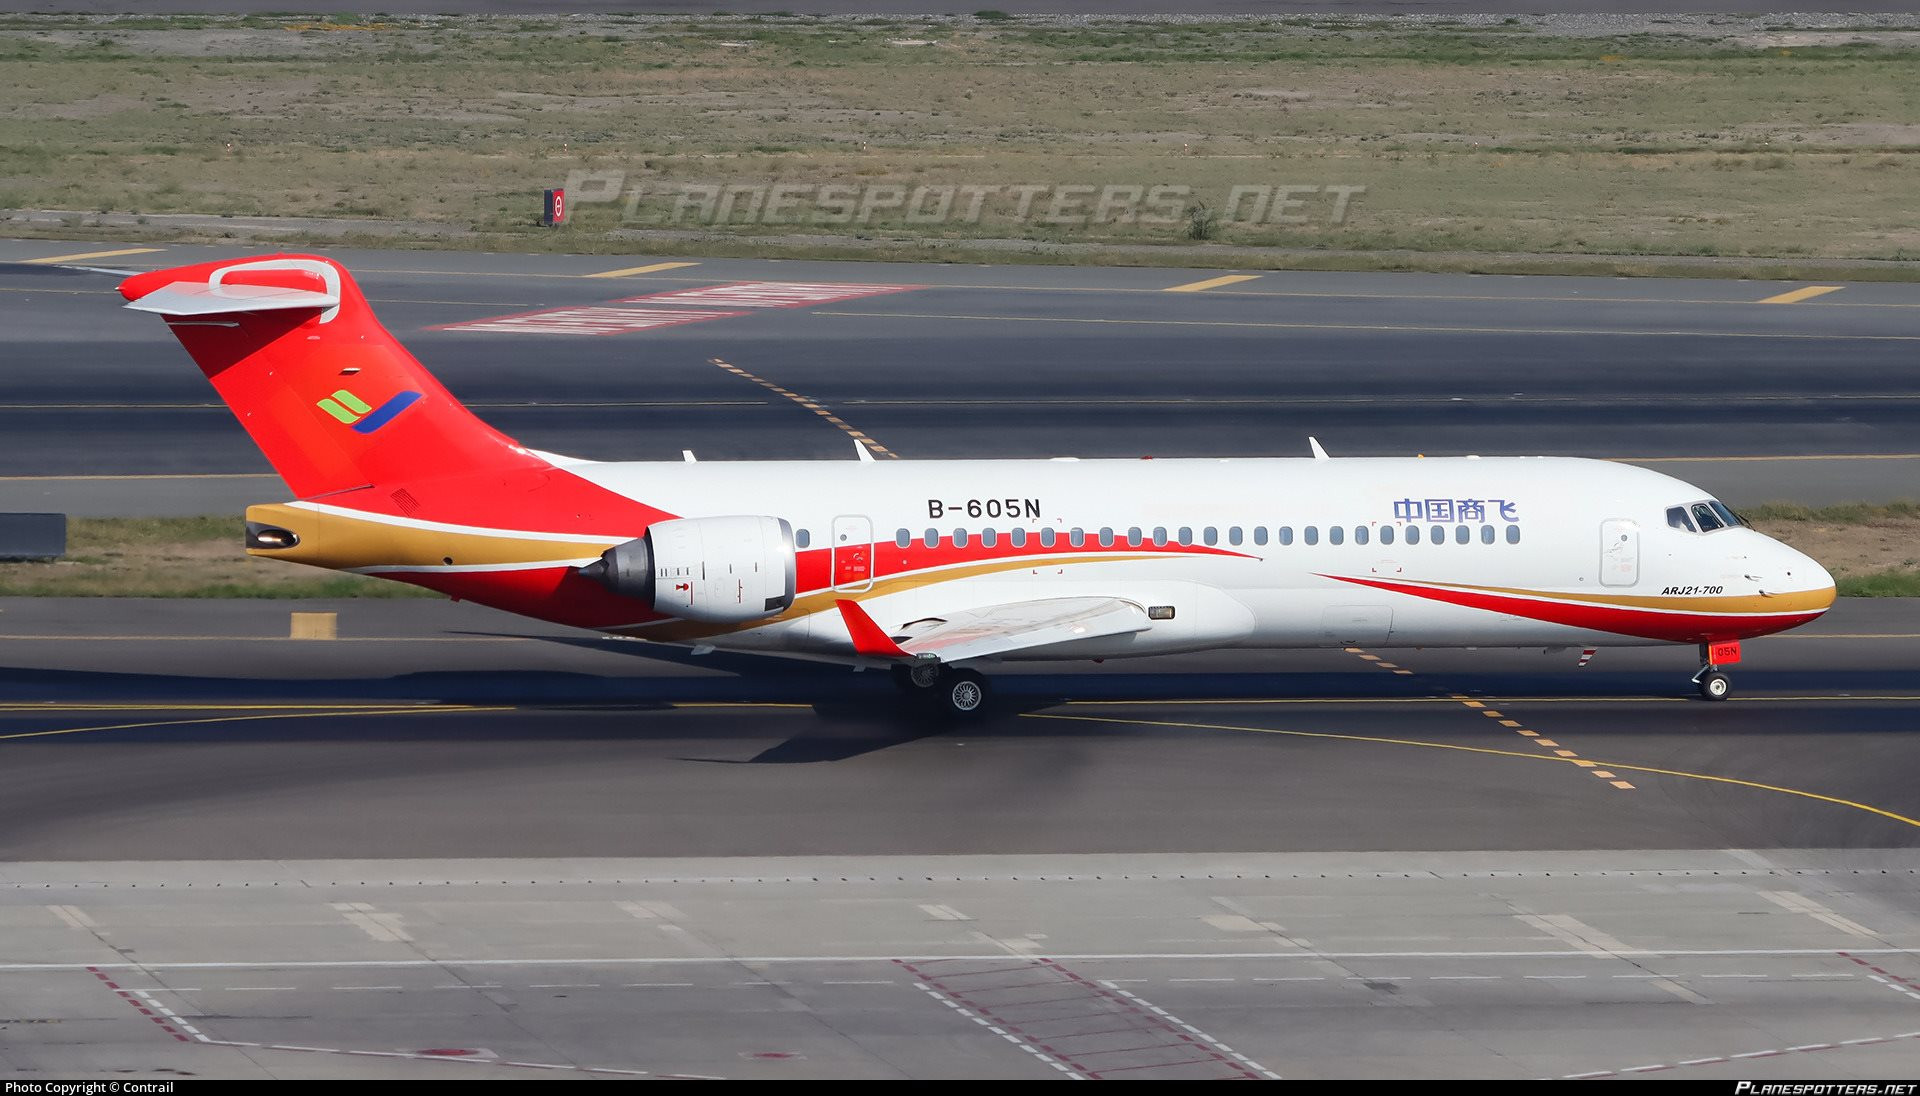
(1502, 552)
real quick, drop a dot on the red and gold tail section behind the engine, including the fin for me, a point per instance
(395, 477)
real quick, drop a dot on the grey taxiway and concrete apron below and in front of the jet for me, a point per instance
(452, 846)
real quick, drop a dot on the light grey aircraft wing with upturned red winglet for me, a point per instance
(999, 629)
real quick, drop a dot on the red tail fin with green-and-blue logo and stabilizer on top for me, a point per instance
(329, 396)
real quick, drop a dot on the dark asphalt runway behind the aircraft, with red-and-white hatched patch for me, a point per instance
(1760, 393)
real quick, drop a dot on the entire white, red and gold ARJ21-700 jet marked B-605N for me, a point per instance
(942, 567)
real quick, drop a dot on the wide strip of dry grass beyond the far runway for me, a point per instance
(1479, 141)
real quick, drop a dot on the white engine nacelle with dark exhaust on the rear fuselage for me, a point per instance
(721, 571)
